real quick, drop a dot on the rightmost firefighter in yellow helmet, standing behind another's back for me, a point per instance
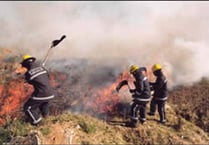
(160, 93)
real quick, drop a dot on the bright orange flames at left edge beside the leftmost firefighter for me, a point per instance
(12, 95)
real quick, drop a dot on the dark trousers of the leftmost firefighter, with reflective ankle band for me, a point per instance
(34, 109)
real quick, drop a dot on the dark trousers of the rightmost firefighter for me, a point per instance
(161, 108)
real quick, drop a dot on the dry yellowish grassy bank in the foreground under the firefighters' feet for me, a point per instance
(70, 128)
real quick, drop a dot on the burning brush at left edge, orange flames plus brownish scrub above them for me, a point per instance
(13, 92)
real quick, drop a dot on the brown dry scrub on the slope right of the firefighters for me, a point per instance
(191, 102)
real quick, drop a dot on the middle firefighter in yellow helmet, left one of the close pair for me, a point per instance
(141, 96)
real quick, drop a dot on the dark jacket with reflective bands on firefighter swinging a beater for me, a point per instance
(39, 78)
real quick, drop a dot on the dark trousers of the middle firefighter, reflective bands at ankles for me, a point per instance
(138, 107)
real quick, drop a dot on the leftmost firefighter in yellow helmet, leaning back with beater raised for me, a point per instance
(37, 105)
